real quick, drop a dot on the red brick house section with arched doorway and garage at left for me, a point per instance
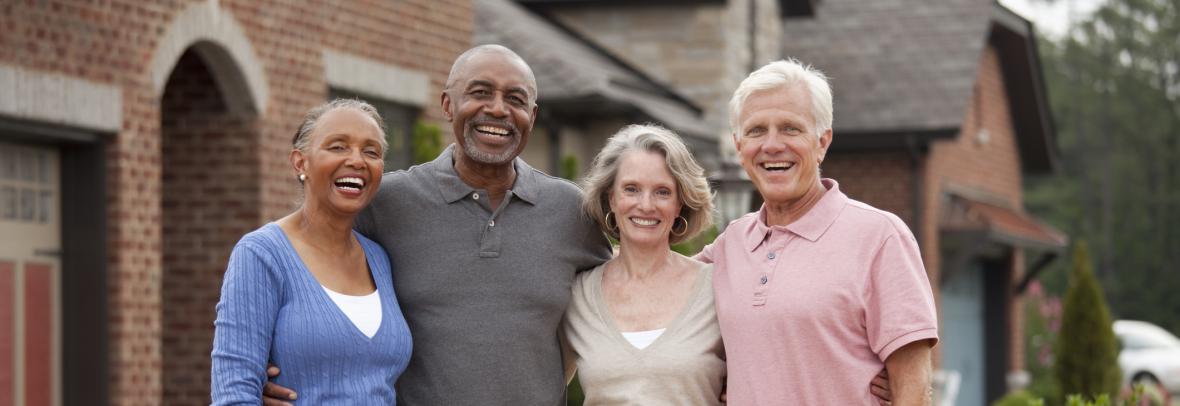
(141, 140)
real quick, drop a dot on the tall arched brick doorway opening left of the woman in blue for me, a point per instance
(211, 198)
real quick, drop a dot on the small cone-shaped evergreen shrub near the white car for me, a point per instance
(1086, 361)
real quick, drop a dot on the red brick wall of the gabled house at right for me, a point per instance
(967, 162)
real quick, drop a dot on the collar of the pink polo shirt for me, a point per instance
(811, 226)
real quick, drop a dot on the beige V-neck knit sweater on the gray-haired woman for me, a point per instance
(685, 366)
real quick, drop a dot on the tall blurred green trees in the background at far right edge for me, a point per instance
(1115, 90)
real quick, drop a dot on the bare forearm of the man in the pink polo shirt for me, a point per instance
(910, 375)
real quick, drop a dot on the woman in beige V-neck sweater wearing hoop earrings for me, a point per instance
(641, 328)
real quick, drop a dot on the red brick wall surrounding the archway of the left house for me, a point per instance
(186, 174)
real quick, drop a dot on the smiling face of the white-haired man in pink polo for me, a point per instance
(778, 146)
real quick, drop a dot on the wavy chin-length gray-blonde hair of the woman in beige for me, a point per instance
(692, 187)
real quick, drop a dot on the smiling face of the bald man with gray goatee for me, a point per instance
(491, 106)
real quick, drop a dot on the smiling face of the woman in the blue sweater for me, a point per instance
(343, 163)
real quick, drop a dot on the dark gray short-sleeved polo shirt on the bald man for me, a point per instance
(483, 289)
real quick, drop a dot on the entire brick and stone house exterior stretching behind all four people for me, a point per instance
(140, 140)
